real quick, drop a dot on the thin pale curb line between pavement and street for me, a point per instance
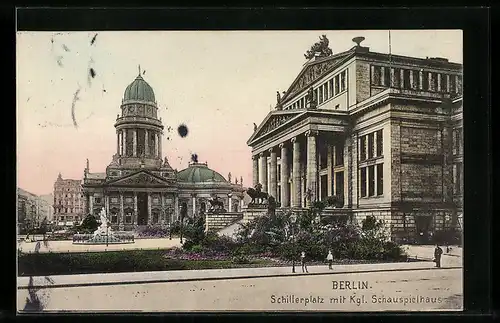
(156, 281)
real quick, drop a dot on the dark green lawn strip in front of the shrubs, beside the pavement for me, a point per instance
(45, 264)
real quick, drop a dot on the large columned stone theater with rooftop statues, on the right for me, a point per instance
(381, 132)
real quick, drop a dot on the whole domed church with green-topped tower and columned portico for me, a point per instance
(139, 186)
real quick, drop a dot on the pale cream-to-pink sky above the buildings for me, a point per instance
(217, 83)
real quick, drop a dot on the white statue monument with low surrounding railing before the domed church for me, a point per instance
(103, 235)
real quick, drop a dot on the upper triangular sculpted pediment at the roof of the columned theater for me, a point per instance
(312, 72)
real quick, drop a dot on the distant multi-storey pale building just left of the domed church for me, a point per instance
(69, 204)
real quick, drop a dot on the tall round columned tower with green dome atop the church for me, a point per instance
(138, 129)
